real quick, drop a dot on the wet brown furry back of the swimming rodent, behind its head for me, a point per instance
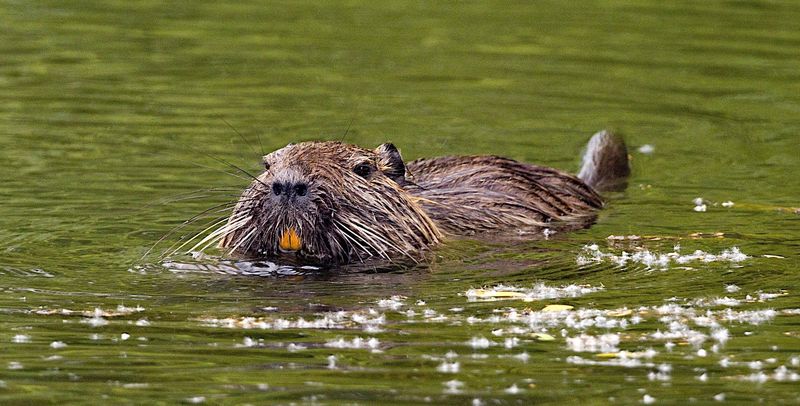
(479, 194)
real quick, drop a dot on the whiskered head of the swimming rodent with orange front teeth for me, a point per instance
(329, 202)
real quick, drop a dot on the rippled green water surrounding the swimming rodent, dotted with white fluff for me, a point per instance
(111, 112)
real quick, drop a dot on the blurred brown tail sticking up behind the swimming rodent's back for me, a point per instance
(605, 164)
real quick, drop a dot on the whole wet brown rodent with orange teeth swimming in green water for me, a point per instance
(330, 202)
